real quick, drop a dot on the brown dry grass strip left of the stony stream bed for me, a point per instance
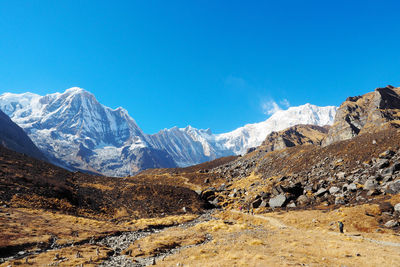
(28, 227)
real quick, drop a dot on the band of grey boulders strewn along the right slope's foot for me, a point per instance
(339, 186)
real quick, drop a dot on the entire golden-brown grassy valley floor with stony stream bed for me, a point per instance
(217, 238)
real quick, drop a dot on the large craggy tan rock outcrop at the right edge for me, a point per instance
(371, 112)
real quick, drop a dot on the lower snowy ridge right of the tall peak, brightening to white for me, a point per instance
(189, 145)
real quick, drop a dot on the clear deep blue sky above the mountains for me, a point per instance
(210, 64)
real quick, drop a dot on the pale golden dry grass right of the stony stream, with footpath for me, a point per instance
(265, 240)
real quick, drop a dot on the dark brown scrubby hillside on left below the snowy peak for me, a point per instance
(26, 182)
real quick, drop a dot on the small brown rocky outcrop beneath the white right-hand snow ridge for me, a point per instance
(293, 136)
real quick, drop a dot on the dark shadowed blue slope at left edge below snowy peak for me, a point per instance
(14, 137)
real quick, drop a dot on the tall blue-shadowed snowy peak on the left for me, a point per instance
(73, 129)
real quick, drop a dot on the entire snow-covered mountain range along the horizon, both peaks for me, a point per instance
(75, 131)
